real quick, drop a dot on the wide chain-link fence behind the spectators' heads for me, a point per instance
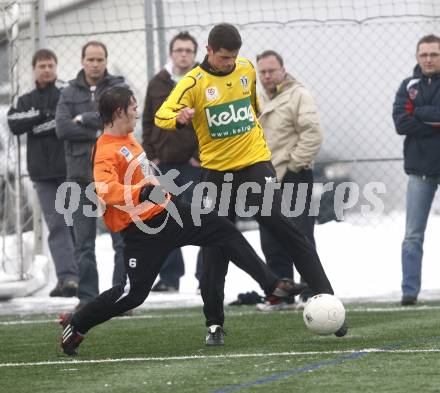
(351, 54)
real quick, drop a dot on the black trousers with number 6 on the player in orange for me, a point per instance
(144, 255)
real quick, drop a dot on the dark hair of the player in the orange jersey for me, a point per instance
(113, 99)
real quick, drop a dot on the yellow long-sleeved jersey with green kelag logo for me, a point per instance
(225, 120)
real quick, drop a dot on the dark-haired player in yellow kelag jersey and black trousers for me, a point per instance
(219, 98)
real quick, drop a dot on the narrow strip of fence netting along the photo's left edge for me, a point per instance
(15, 207)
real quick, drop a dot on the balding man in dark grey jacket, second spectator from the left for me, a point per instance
(78, 123)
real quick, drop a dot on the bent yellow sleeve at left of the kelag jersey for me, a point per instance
(179, 98)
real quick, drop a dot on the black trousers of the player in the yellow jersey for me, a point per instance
(298, 247)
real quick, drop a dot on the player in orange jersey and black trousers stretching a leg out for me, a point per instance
(152, 224)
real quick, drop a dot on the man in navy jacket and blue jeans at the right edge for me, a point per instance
(416, 114)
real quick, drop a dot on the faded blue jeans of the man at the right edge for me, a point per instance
(419, 196)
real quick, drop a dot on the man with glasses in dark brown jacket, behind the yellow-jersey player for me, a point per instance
(172, 150)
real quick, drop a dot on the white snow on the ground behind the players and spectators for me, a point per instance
(362, 262)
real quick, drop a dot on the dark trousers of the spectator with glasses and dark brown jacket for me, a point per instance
(174, 267)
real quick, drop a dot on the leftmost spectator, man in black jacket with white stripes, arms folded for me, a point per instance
(34, 115)
